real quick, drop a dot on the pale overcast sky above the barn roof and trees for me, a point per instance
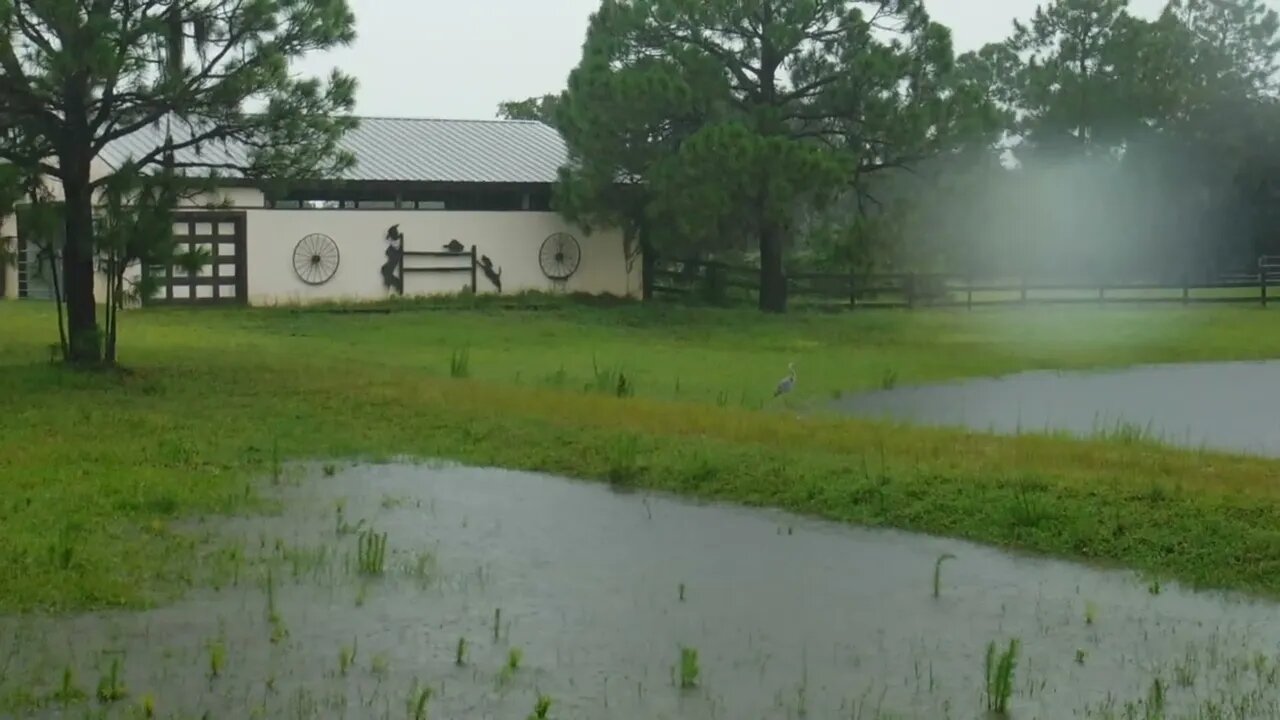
(459, 60)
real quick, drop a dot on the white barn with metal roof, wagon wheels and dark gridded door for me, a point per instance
(432, 207)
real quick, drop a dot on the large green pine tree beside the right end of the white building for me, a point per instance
(729, 120)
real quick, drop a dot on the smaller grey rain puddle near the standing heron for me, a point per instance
(1232, 407)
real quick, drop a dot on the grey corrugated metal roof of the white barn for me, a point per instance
(406, 149)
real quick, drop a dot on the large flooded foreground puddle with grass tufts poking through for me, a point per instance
(501, 587)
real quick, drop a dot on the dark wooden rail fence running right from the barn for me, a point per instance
(723, 284)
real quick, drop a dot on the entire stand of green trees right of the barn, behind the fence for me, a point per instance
(781, 129)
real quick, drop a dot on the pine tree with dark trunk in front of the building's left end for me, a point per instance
(77, 76)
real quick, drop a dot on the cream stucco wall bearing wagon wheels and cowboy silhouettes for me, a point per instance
(510, 239)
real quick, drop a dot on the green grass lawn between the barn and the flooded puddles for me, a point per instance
(99, 471)
